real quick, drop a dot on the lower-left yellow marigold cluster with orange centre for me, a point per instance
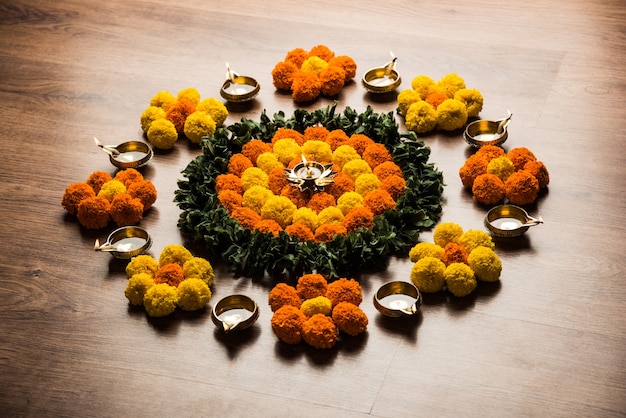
(176, 279)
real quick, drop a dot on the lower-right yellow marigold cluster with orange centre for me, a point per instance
(456, 261)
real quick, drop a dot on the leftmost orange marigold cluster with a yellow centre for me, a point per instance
(102, 198)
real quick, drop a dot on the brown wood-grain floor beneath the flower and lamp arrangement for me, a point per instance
(549, 340)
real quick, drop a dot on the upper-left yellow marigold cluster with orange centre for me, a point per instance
(169, 117)
